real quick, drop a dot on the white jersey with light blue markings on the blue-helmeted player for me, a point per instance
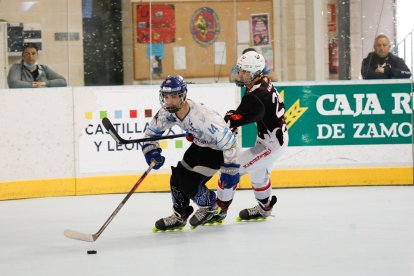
(205, 124)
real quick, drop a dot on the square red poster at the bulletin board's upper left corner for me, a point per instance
(161, 28)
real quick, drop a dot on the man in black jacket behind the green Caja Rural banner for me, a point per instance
(381, 64)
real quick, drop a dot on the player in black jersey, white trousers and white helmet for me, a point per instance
(263, 105)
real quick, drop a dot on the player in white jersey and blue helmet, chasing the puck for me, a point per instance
(214, 147)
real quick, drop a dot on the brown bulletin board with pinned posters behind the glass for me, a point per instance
(174, 50)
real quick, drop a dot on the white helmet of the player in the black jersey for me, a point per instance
(252, 63)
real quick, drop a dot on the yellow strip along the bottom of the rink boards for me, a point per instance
(160, 182)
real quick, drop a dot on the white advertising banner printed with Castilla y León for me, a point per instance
(130, 110)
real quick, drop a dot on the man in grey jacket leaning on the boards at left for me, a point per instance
(29, 74)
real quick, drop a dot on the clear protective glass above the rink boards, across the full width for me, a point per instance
(116, 42)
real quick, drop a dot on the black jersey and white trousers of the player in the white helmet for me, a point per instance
(263, 105)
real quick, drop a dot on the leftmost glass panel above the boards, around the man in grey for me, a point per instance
(53, 27)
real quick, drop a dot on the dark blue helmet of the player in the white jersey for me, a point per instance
(173, 85)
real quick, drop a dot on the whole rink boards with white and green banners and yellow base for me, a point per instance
(62, 149)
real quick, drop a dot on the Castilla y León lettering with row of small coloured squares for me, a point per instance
(130, 123)
